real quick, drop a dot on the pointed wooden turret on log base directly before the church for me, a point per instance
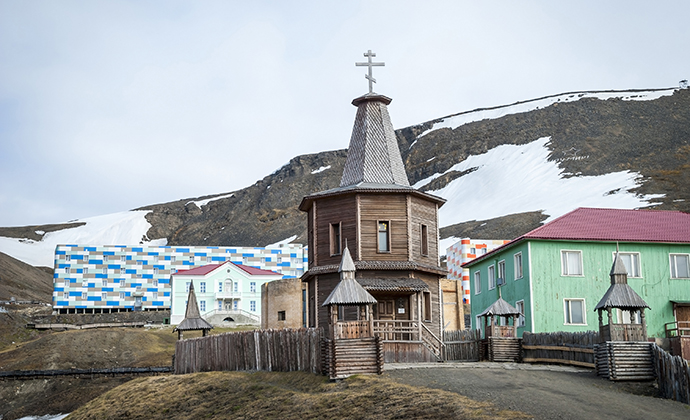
(351, 347)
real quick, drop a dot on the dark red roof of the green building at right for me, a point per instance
(608, 225)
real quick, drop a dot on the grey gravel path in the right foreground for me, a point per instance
(546, 392)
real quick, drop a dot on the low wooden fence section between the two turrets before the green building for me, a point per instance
(560, 347)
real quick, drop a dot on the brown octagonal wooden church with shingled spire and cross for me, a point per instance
(391, 232)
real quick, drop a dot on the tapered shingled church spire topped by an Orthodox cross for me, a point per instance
(373, 155)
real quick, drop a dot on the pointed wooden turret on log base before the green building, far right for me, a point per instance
(623, 352)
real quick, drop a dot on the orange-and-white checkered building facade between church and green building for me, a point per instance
(463, 251)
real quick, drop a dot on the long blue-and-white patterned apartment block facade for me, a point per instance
(101, 279)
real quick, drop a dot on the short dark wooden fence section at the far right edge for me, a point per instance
(672, 375)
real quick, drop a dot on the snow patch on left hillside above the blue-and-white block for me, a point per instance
(124, 228)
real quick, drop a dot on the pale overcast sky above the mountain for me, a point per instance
(108, 106)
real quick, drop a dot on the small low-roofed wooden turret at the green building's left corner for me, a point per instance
(500, 342)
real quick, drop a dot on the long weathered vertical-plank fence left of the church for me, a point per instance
(268, 350)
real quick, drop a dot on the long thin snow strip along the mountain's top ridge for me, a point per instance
(457, 120)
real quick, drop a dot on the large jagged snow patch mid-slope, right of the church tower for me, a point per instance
(514, 179)
